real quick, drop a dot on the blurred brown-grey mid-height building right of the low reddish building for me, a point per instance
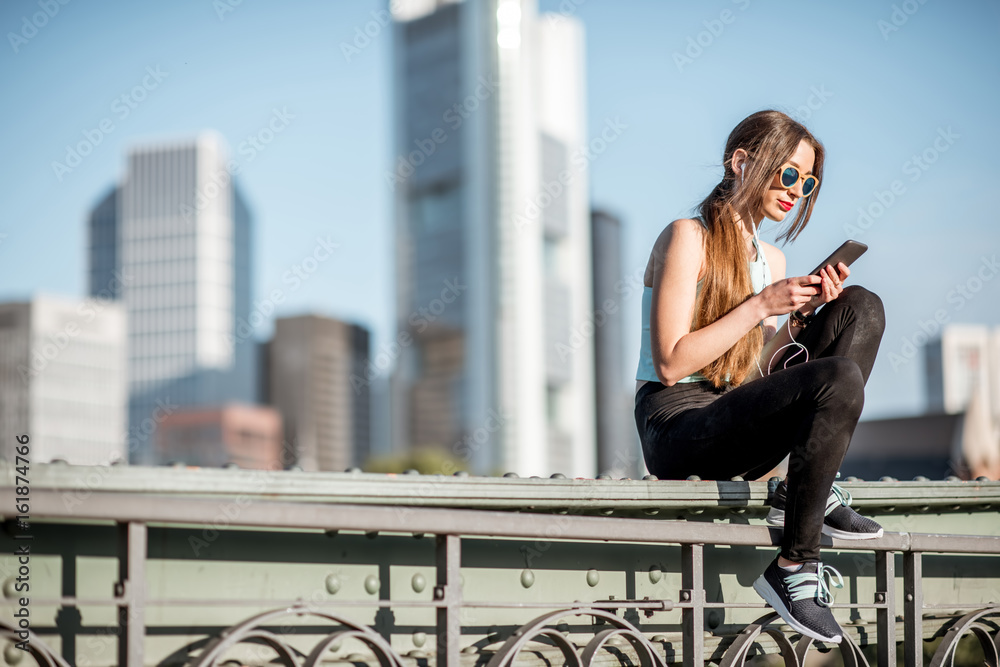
(317, 381)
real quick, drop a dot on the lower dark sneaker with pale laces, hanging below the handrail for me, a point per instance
(802, 598)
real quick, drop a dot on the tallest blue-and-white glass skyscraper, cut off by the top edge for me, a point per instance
(493, 239)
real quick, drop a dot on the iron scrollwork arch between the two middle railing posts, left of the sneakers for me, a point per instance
(537, 629)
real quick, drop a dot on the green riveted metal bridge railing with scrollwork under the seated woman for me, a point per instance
(200, 566)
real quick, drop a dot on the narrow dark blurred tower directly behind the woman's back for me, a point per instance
(618, 448)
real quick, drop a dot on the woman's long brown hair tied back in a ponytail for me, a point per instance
(770, 138)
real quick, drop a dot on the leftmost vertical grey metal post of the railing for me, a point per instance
(131, 588)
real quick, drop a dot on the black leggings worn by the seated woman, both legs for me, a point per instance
(807, 412)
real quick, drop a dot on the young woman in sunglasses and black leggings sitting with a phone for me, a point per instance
(724, 390)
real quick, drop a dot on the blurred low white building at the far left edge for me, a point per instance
(63, 379)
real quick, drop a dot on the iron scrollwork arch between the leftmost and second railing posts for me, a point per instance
(250, 631)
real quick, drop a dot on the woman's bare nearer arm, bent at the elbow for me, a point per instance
(677, 351)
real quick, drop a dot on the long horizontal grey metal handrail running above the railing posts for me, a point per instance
(476, 523)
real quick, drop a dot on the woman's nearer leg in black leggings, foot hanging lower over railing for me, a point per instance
(808, 411)
